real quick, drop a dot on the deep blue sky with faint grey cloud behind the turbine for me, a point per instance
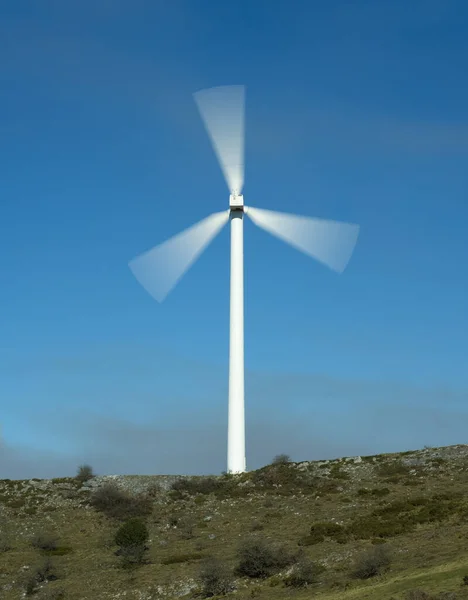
(355, 113)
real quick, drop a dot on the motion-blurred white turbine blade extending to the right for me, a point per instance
(330, 242)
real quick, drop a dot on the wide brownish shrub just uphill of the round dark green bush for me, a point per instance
(116, 503)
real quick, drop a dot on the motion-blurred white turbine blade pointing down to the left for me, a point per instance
(159, 269)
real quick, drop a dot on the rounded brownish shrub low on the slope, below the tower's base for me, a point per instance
(259, 558)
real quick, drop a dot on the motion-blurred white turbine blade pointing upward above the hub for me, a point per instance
(222, 111)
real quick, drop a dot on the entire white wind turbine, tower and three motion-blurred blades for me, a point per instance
(159, 269)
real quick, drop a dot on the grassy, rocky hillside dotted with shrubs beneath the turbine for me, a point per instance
(387, 527)
